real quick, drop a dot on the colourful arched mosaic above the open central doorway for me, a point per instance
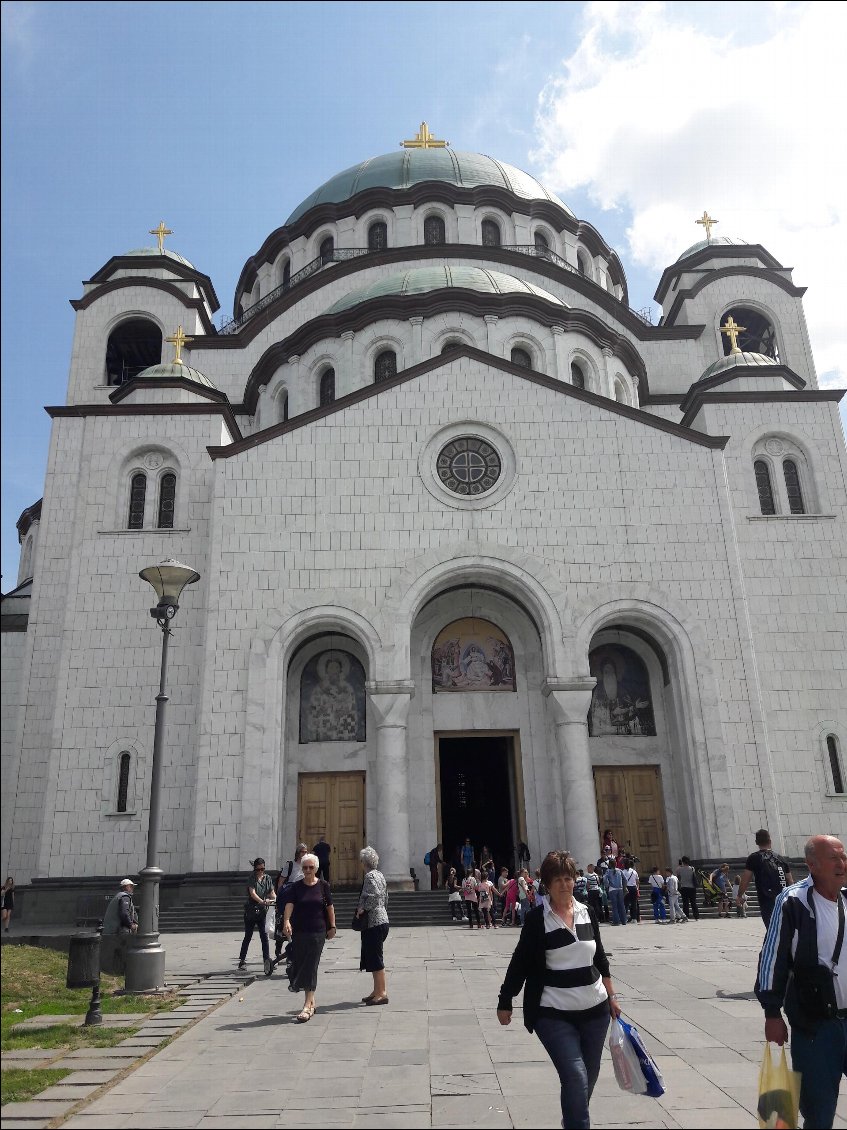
(473, 655)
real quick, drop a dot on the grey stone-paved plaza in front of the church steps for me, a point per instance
(436, 1056)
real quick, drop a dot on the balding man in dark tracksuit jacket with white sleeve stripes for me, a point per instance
(805, 934)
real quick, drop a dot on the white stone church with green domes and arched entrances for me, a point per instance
(483, 552)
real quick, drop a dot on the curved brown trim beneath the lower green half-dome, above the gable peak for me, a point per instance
(438, 302)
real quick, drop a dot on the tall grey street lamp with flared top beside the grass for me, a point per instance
(146, 958)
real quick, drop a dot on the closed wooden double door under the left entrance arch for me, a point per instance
(334, 805)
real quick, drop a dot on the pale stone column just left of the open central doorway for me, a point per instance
(390, 703)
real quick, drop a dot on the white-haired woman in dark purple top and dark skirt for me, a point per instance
(311, 917)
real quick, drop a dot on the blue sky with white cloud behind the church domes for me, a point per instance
(221, 118)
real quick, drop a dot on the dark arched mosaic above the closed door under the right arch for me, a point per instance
(621, 703)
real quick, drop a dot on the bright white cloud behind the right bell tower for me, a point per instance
(665, 110)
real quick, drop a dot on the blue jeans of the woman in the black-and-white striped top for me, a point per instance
(577, 1050)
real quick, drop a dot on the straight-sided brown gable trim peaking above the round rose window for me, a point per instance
(411, 375)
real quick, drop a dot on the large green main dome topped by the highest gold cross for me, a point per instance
(407, 168)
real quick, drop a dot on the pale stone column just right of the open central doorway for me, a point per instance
(570, 701)
